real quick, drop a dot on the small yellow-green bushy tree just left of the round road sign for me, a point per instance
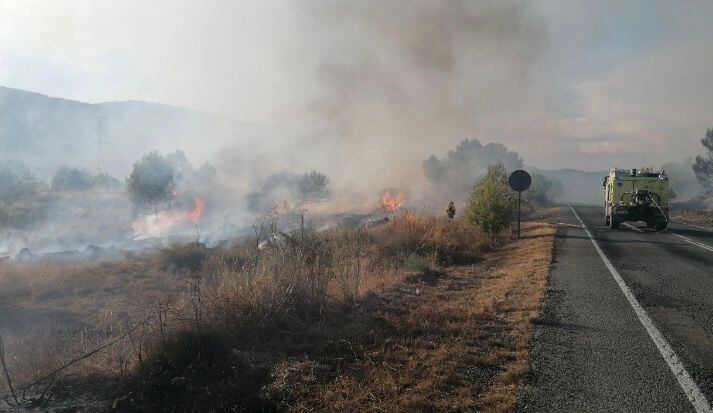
(492, 204)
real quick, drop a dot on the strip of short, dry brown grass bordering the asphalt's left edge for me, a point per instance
(454, 341)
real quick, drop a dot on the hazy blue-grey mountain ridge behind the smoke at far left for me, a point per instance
(46, 132)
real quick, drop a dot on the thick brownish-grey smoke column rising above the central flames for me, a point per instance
(389, 83)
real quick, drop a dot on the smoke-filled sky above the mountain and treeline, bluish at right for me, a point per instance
(586, 84)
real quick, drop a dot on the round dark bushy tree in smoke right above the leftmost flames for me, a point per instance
(152, 181)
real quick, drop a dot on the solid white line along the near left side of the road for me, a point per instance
(697, 399)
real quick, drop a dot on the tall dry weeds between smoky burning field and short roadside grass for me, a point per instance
(246, 307)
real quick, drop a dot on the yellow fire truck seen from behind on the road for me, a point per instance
(637, 195)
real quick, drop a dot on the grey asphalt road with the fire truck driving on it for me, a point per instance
(592, 351)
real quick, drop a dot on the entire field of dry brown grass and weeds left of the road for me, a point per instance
(414, 314)
